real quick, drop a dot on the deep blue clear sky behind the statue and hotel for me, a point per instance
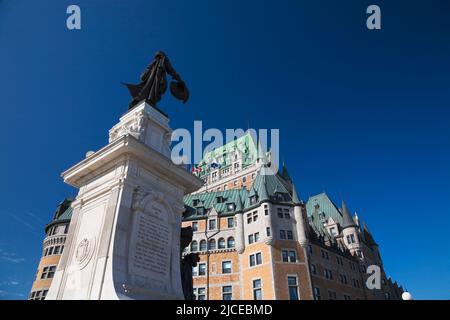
(363, 115)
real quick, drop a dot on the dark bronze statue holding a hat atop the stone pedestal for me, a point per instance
(154, 83)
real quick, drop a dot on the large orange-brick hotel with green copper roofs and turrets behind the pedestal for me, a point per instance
(256, 238)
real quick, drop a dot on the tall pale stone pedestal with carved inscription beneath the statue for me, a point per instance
(124, 237)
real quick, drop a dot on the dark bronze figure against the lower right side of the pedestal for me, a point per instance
(187, 262)
